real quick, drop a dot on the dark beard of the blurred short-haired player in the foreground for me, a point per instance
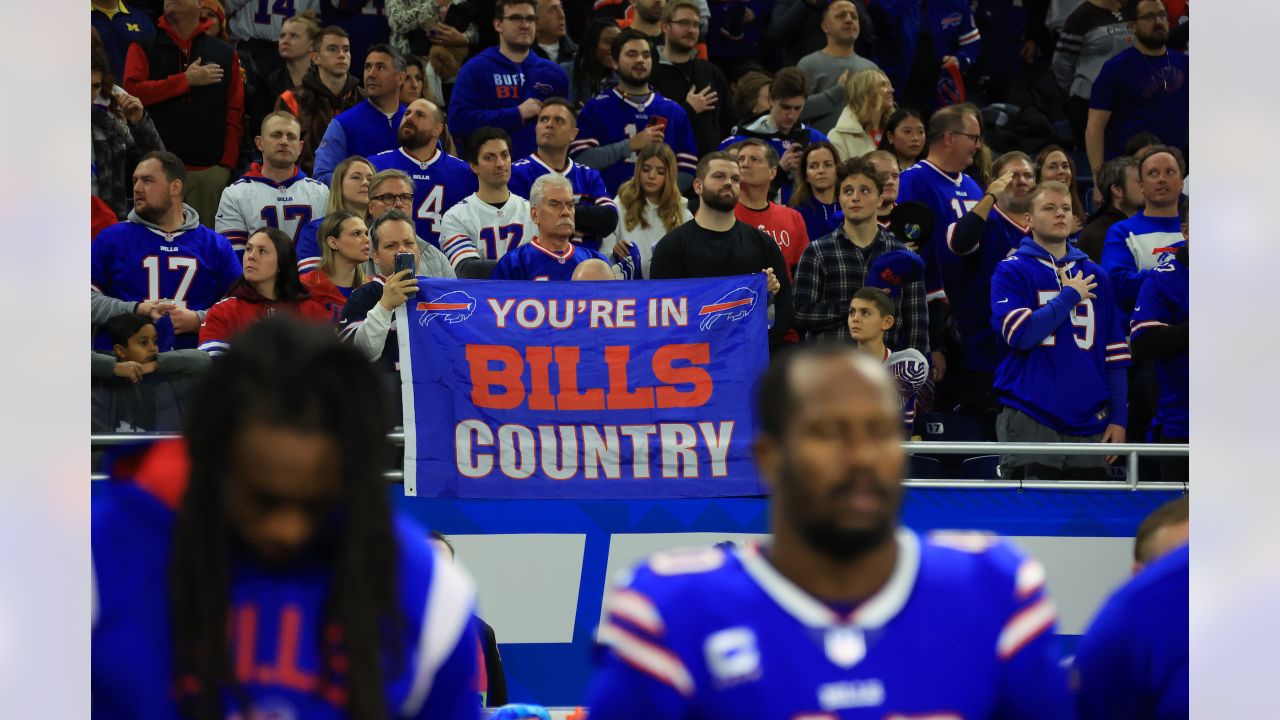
(822, 532)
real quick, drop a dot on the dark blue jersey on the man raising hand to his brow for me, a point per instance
(967, 280)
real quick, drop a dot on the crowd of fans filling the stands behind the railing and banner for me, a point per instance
(1011, 177)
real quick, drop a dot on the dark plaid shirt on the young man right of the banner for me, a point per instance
(833, 270)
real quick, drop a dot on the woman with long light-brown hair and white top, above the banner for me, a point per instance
(651, 207)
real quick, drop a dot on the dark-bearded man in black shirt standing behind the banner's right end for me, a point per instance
(716, 244)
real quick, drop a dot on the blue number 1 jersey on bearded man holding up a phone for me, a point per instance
(610, 119)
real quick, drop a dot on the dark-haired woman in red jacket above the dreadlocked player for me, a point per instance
(271, 285)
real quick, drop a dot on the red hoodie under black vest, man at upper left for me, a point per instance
(138, 81)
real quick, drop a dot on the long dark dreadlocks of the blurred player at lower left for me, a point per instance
(286, 375)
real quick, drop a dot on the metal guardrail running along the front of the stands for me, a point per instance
(1132, 452)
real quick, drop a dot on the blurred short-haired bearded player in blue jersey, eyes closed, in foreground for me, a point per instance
(842, 614)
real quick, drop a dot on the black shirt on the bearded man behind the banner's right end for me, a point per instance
(694, 252)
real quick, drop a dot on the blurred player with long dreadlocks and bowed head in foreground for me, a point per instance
(258, 571)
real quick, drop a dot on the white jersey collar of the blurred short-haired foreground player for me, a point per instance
(875, 613)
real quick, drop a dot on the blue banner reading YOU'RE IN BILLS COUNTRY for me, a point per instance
(601, 390)
